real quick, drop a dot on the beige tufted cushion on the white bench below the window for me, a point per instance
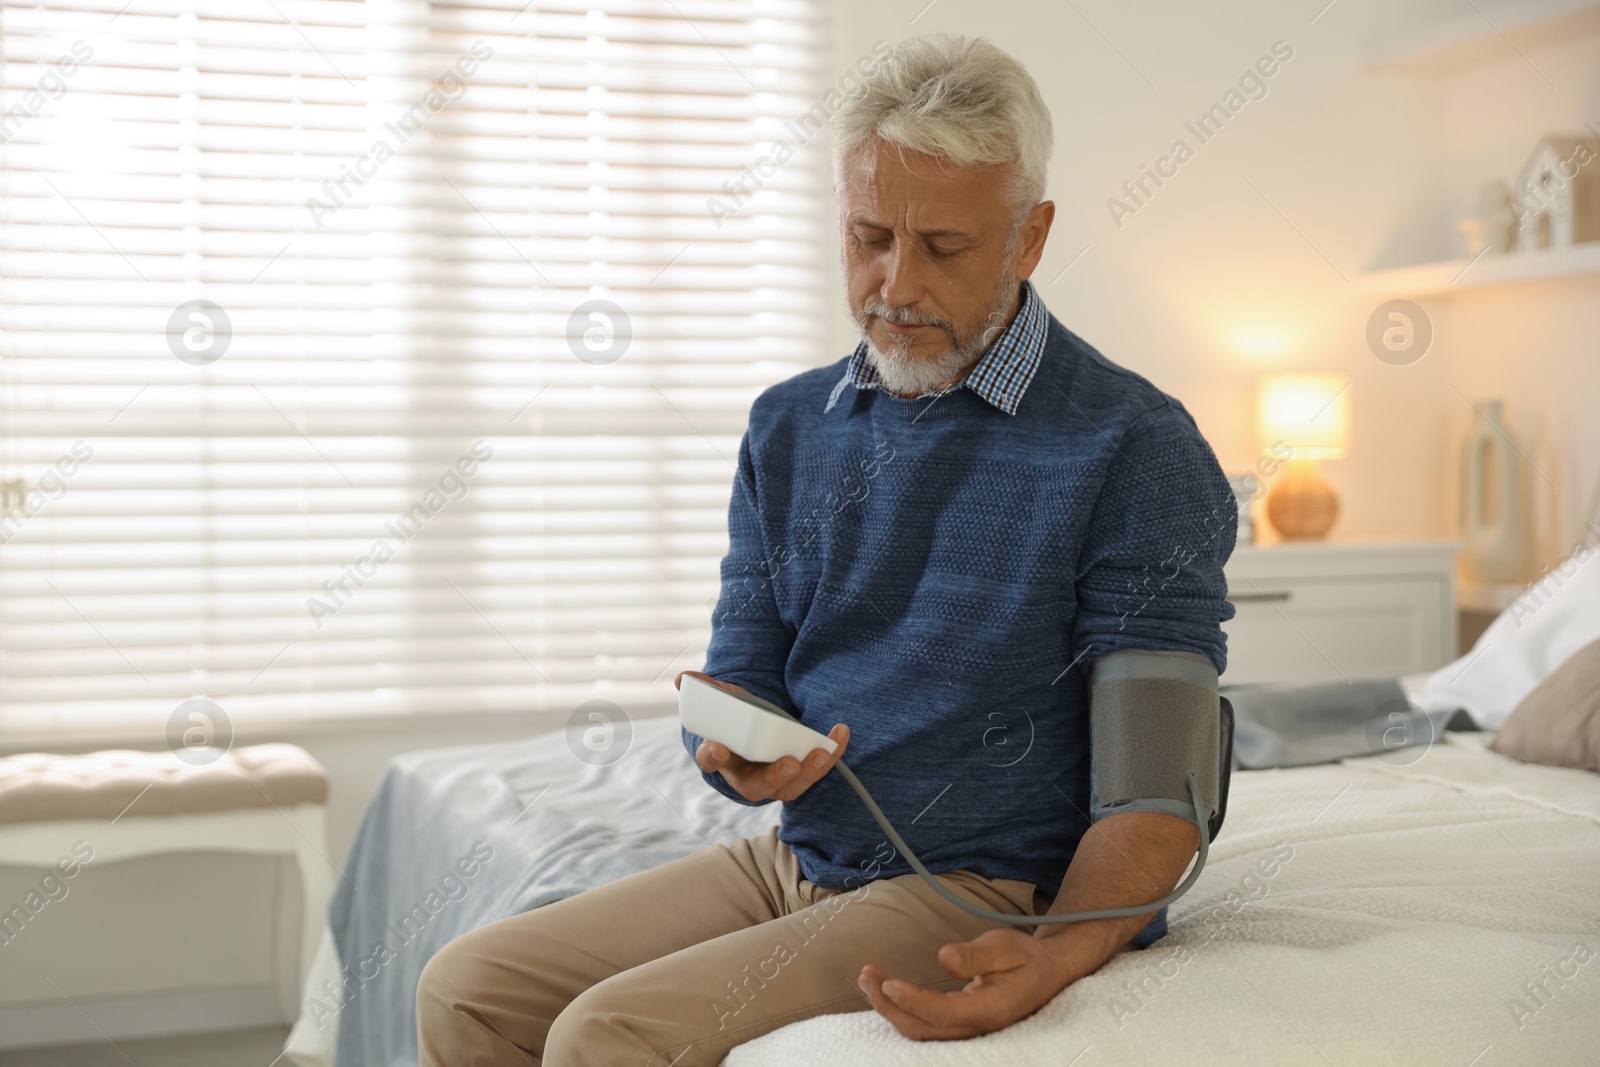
(44, 788)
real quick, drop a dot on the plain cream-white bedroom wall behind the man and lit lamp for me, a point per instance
(1204, 290)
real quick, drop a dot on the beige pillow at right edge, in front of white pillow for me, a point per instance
(1559, 724)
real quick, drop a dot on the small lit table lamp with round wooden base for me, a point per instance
(1305, 418)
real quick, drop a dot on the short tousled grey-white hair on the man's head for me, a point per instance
(956, 98)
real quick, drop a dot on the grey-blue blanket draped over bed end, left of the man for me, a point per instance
(455, 839)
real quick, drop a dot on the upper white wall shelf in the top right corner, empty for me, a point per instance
(1476, 39)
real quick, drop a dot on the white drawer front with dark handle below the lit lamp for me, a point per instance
(1334, 631)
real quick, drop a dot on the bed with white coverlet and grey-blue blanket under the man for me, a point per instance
(1426, 906)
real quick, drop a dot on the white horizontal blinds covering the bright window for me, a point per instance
(391, 356)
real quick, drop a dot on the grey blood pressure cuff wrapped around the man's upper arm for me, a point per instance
(1156, 719)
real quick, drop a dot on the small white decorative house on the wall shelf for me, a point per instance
(1558, 198)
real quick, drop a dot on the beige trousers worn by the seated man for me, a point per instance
(681, 964)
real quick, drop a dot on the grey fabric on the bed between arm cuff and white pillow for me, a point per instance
(1297, 725)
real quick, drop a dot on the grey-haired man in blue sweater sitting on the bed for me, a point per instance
(983, 554)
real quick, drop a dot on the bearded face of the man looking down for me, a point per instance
(932, 262)
